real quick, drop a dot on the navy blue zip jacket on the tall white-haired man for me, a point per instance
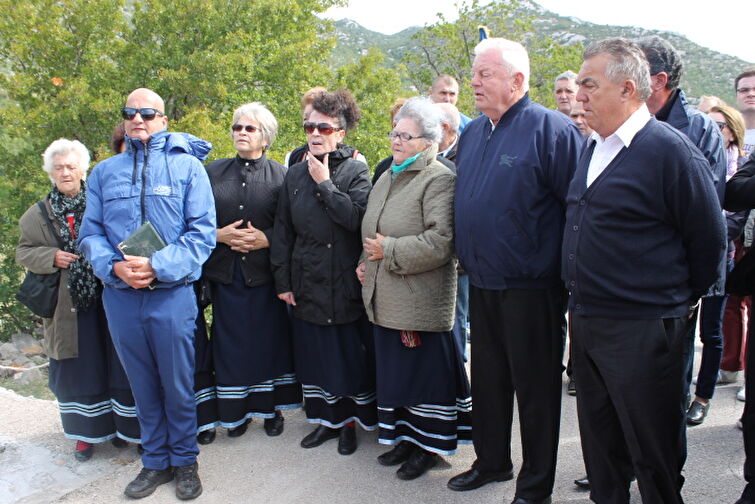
(510, 196)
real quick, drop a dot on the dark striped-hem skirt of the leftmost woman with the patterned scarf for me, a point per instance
(93, 392)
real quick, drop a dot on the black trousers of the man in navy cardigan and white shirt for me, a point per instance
(631, 418)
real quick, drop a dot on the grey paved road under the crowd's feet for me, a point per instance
(38, 466)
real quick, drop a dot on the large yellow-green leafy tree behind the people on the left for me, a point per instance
(68, 65)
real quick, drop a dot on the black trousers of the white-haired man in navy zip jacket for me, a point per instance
(517, 350)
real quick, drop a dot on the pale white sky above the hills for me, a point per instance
(735, 33)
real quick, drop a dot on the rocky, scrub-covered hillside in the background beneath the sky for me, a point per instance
(706, 71)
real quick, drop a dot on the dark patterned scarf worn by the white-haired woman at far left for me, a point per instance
(82, 284)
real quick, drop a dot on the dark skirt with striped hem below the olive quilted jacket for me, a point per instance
(423, 392)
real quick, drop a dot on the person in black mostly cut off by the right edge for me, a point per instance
(740, 196)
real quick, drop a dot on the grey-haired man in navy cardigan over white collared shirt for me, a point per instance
(643, 241)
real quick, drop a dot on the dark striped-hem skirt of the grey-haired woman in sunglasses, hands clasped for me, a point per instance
(252, 352)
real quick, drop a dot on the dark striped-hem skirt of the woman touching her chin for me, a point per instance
(336, 366)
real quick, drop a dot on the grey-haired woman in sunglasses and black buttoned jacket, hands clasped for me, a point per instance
(251, 339)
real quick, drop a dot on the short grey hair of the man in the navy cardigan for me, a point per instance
(626, 61)
